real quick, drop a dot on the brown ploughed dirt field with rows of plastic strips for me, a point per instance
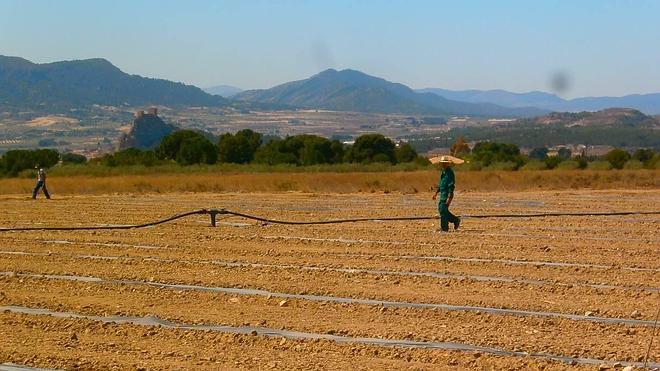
(512, 293)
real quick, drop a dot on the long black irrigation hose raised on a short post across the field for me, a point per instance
(214, 212)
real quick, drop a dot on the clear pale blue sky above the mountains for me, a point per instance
(602, 47)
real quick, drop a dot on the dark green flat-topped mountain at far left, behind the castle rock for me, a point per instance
(80, 83)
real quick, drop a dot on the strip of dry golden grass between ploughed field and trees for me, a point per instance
(404, 182)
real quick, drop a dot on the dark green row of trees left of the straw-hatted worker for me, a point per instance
(188, 147)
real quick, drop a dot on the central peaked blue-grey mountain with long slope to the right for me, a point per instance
(350, 90)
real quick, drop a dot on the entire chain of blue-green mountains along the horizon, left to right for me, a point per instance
(60, 86)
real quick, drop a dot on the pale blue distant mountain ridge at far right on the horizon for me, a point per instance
(646, 103)
